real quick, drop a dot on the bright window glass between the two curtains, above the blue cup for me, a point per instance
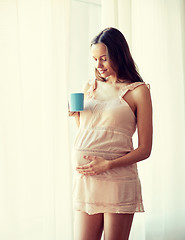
(85, 24)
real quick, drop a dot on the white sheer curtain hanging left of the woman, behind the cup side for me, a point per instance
(35, 172)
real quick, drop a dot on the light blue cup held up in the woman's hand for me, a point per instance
(76, 102)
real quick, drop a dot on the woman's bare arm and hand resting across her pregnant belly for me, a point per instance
(142, 100)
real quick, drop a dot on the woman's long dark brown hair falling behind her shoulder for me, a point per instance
(118, 54)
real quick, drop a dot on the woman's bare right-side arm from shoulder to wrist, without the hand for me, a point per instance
(142, 99)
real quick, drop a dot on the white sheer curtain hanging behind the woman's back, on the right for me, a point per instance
(155, 32)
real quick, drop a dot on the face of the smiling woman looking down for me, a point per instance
(102, 64)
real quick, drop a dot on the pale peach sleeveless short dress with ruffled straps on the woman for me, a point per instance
(106, 130)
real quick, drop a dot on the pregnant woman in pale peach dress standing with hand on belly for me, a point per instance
(107, 189)
